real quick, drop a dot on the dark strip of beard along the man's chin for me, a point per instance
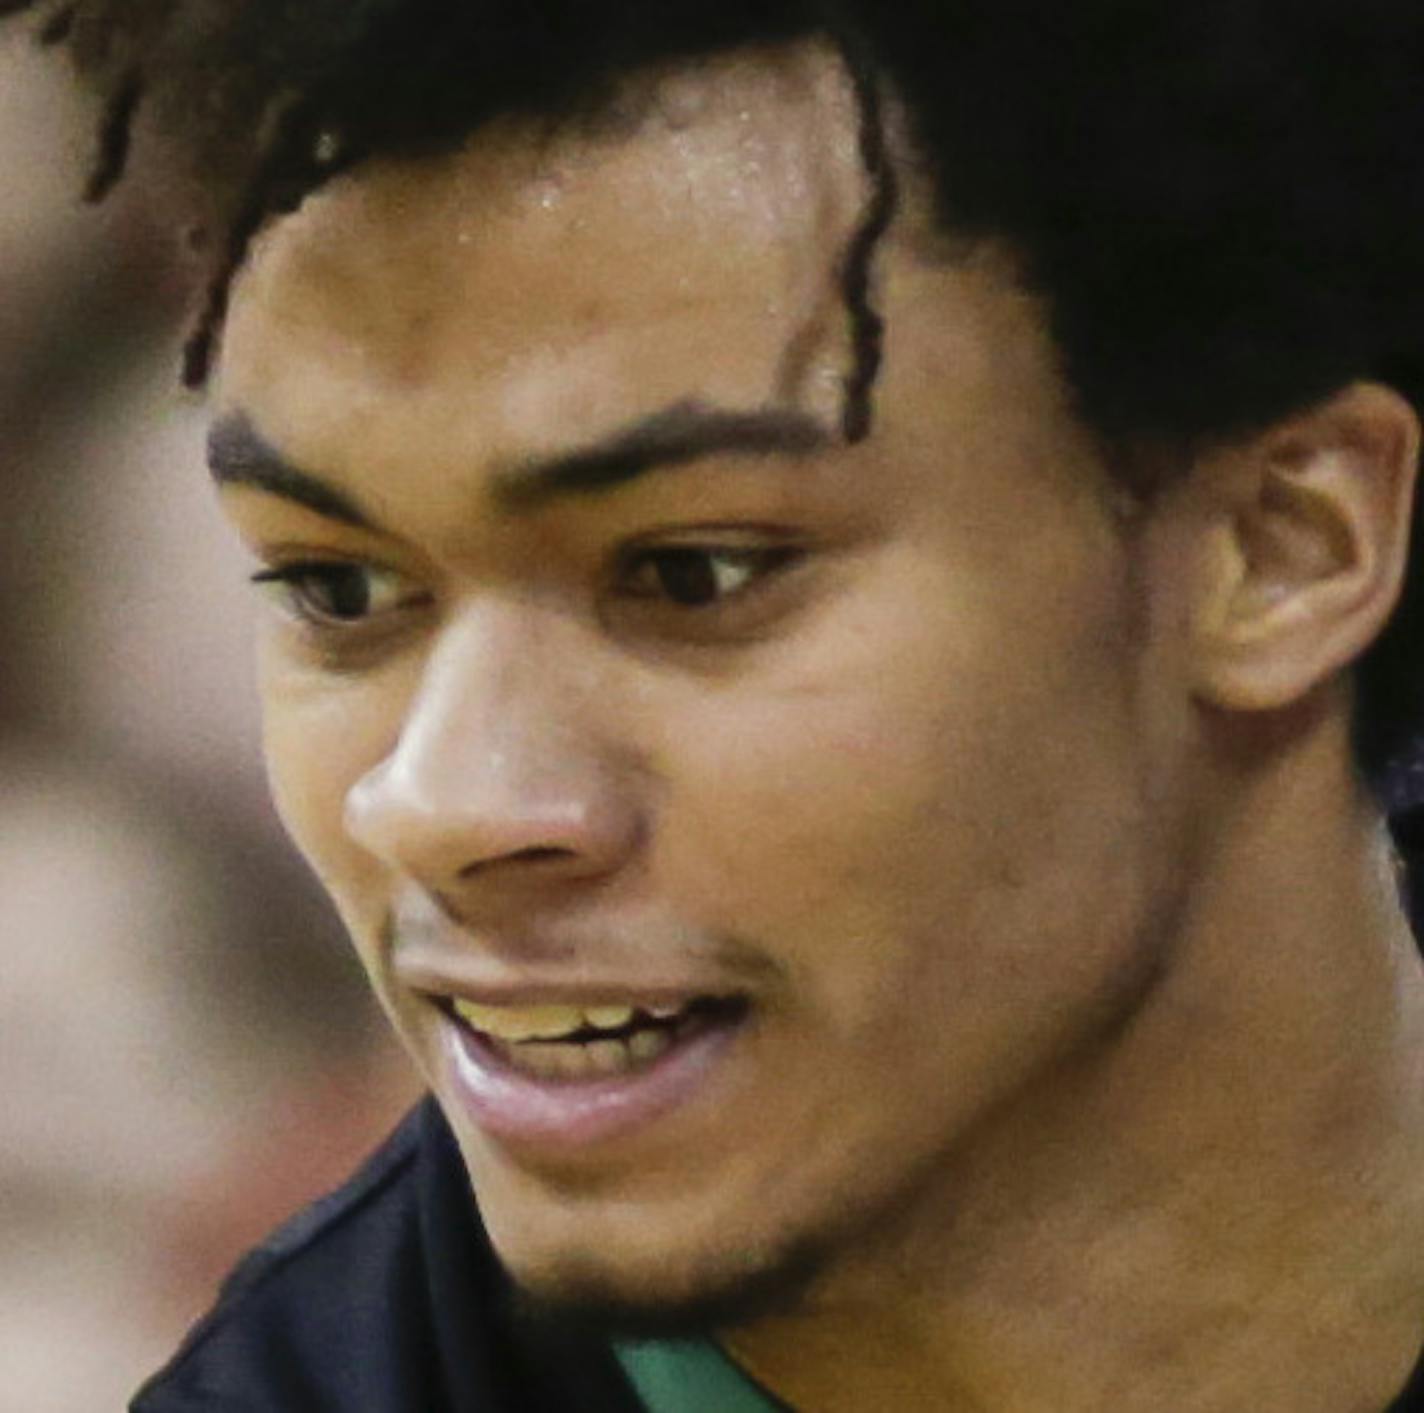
(734, 1290)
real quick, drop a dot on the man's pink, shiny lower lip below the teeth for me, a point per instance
(570, 1115)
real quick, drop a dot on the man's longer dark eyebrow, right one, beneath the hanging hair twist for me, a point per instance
(679, 435)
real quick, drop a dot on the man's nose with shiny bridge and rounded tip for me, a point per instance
(501, 776)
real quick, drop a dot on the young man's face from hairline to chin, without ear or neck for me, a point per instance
(851, 740)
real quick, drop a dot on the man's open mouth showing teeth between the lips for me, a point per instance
(567, 1043)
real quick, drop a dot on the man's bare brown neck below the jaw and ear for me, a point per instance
(1220, 1209)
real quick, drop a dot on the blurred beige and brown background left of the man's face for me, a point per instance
(187, 1049)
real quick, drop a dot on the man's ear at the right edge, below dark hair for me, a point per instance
(1308, 543)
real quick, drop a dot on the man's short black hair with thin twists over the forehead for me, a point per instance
(1221, 203)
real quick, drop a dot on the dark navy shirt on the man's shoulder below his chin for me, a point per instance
(388, 1298)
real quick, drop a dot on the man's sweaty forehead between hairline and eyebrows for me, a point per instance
(529, 274)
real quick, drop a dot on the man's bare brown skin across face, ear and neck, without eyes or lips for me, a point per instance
(1087, 1031)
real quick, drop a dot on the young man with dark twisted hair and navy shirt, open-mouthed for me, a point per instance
(842, 605)
